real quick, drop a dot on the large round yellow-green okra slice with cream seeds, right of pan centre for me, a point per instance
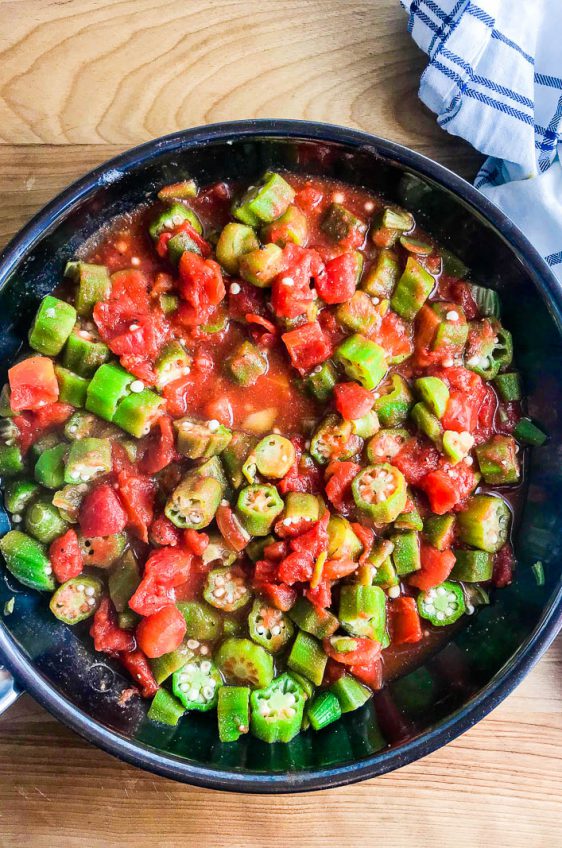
(380, 491)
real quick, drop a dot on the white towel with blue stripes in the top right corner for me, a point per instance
(495, 78)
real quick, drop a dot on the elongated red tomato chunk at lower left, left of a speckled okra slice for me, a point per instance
(165, 570)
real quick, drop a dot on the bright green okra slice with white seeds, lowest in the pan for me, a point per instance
(277, 710)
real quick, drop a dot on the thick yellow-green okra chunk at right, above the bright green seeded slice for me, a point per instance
(485, 523)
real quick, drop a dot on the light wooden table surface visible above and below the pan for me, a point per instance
(81, 80)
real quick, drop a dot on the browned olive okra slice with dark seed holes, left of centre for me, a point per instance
(194, 502)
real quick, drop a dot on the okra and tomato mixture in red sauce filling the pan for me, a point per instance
(263, 440)
